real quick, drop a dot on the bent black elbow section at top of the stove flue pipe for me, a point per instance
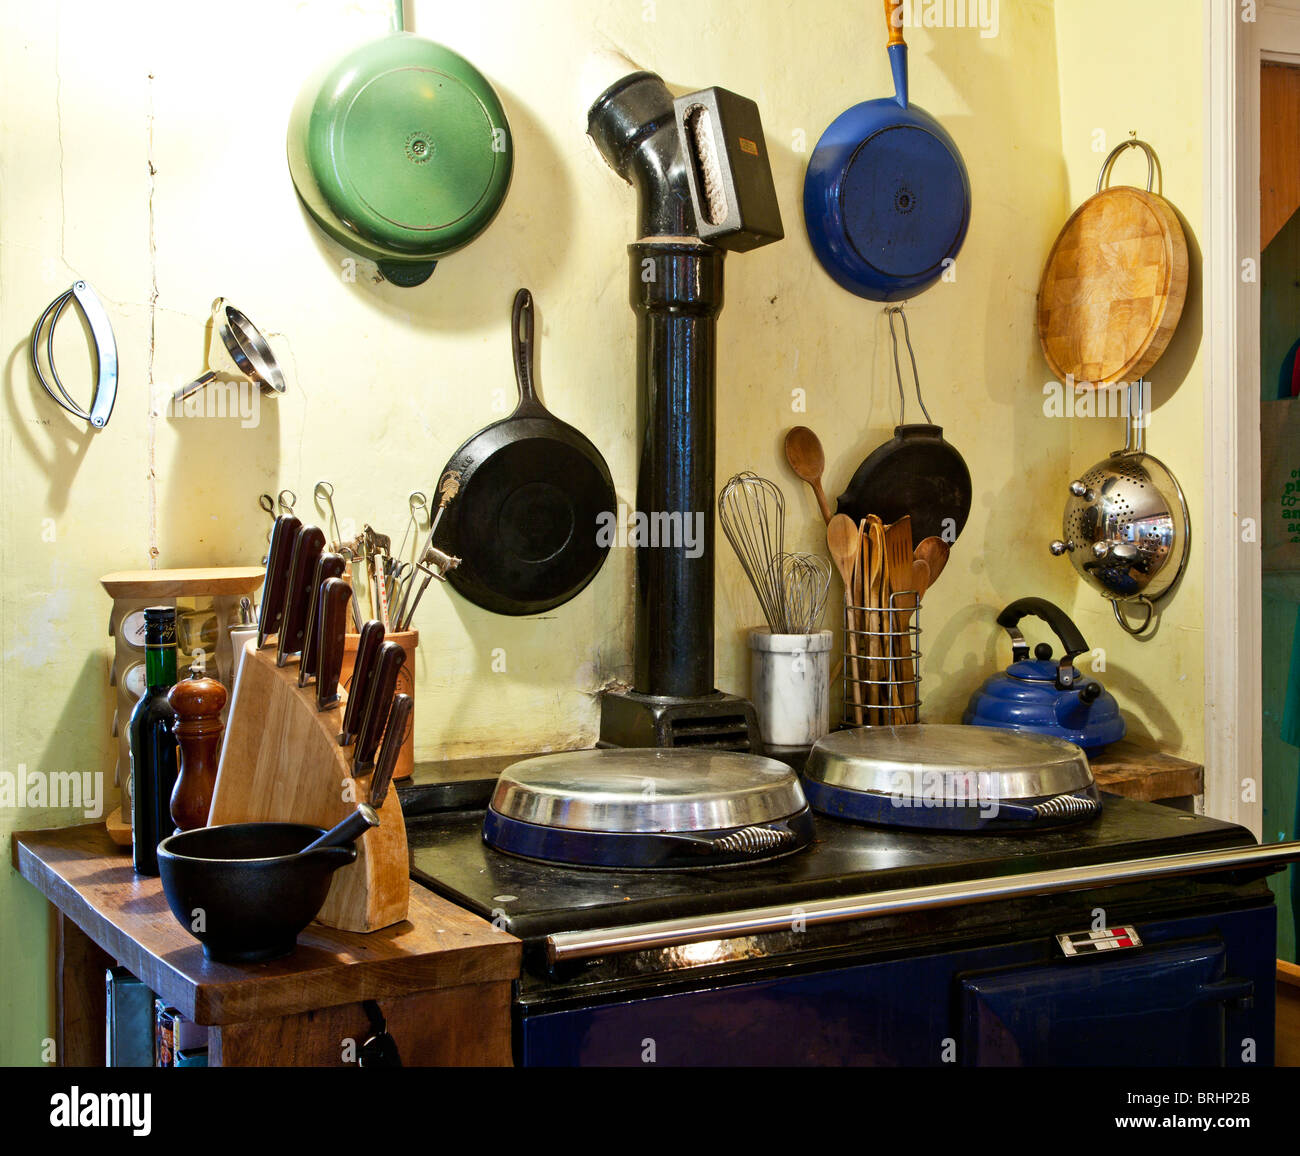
(636, 132)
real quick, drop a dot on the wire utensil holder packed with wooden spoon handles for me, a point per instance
(882, 663)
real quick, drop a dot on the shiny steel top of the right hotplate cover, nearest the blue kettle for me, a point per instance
(948, 763)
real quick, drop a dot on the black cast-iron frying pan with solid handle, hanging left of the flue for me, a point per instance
(527, 516)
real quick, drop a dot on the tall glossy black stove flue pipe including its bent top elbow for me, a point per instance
(677, 289)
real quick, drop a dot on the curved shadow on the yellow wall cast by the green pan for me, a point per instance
(467, 288)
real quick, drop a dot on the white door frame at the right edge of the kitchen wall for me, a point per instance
(1236, 46)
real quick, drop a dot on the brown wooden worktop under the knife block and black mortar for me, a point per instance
(90, 880)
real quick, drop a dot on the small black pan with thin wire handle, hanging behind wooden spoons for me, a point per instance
(916, 473)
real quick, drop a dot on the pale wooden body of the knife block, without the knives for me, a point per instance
(281, 763)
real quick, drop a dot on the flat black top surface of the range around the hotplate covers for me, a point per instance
(532, 899)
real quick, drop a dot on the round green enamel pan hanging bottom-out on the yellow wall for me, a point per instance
(401, 153)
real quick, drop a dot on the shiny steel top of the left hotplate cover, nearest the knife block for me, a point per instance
(648, 791)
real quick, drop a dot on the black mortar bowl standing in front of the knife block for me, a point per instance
(246, 890)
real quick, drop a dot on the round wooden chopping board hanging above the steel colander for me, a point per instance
(1113, 288)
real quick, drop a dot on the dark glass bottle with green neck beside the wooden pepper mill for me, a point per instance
(154, 764)
